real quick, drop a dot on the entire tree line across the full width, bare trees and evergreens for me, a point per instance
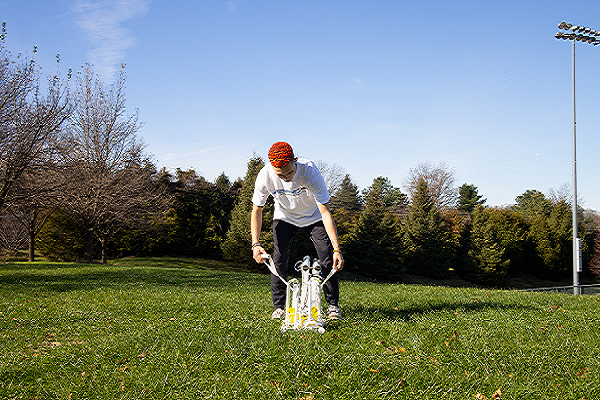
(76, 184)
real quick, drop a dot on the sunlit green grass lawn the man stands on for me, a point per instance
(194, 329)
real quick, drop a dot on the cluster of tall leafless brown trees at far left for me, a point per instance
(69, 152)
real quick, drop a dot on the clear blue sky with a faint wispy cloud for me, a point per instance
(375, 87)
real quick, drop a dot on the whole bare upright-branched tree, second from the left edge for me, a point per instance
(108, 183)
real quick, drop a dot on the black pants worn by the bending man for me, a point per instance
(283, 234)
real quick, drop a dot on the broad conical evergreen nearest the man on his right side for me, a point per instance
(373, 248)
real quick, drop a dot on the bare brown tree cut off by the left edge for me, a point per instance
(29, 122)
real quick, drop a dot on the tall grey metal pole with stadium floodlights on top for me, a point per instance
(584, 34)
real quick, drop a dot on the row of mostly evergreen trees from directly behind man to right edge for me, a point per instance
(438, 230)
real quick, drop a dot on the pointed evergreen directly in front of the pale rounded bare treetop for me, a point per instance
(427, 241)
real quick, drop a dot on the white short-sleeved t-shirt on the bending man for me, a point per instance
(295, 201)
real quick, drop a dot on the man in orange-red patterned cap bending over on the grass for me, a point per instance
(301, 201)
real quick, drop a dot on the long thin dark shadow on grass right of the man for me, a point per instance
(407, 314)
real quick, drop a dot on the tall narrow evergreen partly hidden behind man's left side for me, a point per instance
(236, 247)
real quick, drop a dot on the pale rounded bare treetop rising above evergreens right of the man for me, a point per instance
(440, 183)
